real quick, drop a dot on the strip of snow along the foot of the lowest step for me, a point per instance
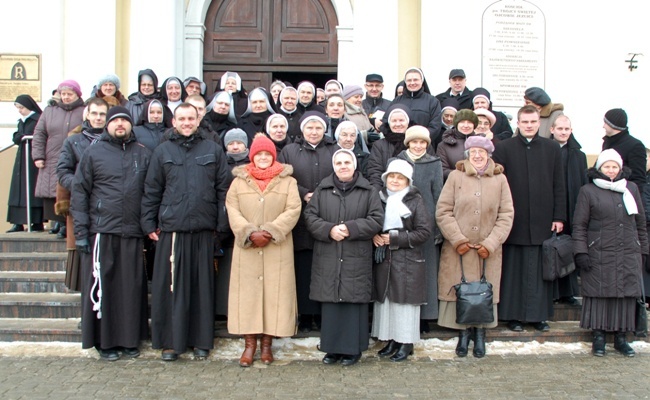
(286, 350)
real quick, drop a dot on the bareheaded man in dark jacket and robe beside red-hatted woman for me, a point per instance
(182, 206)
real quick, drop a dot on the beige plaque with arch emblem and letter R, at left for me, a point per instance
(20, 74)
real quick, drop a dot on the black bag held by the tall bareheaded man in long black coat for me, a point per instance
(558, 259)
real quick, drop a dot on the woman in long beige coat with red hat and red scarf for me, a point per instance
(263, 207)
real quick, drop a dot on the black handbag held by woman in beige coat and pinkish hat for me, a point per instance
(474, 300)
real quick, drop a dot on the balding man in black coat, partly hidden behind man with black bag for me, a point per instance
(574, 162)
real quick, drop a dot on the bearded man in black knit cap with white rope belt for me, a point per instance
(106, 195)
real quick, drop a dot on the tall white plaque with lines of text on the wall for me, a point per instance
(513, 50)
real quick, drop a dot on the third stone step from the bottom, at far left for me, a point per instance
(32, 282)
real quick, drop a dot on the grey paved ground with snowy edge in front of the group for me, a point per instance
(523, 370)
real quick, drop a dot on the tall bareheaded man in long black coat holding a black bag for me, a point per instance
(533, 166)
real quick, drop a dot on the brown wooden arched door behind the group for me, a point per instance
(263, 40)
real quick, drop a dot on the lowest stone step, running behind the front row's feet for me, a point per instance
(65, 330)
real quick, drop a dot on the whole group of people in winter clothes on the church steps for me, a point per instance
(282, 214)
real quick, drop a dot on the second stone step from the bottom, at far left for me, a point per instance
(40, 305)
